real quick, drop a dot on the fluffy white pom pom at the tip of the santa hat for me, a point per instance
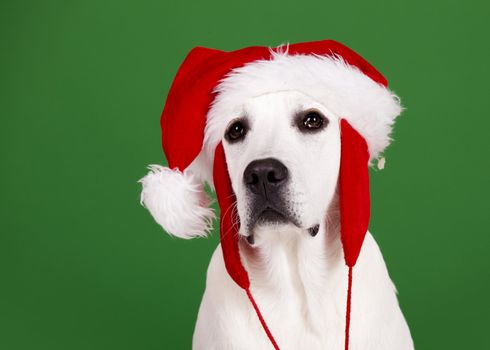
(177, 201)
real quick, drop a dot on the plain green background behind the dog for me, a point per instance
(84, 266)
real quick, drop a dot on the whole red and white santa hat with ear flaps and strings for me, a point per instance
(192, 126)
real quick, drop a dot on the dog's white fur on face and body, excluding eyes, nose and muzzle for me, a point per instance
(298, 281)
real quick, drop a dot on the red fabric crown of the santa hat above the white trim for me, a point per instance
(188, 100)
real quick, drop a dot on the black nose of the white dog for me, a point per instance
(265, 176)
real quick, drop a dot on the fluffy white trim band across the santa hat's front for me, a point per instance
(369, 107)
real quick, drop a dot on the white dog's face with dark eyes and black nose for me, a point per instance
(283, 157)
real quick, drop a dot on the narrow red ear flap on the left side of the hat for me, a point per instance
(229, 220)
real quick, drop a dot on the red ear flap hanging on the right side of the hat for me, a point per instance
(353, 191)
